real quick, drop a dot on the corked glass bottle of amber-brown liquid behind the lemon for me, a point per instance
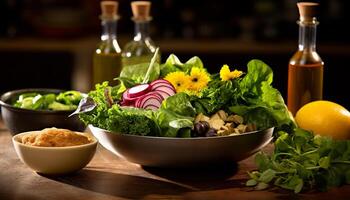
(305, 71)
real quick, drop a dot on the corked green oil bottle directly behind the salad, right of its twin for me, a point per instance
(141, 48)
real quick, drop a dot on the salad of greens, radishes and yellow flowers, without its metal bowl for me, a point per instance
(170, 100)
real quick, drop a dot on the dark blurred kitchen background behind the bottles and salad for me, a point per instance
(49, 43)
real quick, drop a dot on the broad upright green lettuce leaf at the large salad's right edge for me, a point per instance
(263, 104)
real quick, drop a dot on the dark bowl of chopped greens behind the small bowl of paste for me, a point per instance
(38, 108)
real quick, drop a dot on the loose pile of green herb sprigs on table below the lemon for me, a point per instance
(303, 161)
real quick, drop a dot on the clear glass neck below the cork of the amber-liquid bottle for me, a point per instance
(307, 35)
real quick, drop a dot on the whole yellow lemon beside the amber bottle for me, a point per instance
(325, 118)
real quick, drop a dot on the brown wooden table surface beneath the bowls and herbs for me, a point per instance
(110, 177)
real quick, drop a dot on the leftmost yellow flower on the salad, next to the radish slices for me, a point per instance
(179, 80)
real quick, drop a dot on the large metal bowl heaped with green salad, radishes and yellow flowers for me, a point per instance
(184, 116)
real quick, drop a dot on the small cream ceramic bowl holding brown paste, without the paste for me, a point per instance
(54, 160)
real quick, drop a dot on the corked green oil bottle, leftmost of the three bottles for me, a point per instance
(107, 57)
